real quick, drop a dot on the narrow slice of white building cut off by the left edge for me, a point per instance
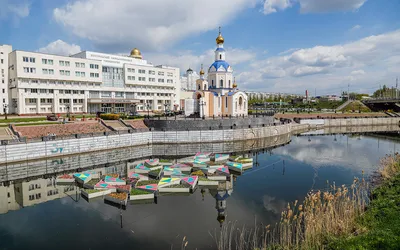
(4, 51)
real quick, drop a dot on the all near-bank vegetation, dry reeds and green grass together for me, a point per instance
(364, 215)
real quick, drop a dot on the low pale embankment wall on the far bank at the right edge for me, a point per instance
(352, 122)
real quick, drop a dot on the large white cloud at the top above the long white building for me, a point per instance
(155, 24)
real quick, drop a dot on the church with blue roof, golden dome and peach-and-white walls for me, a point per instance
(218, 95)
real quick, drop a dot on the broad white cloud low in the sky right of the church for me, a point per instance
(363, 62)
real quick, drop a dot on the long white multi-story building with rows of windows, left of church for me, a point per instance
(89, 82)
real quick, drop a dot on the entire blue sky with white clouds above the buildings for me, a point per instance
(285, 46)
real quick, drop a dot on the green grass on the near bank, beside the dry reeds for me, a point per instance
(381, 221)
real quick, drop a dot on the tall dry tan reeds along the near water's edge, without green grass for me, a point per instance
(309, 225)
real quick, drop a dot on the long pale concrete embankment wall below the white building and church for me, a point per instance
(46, 149)
